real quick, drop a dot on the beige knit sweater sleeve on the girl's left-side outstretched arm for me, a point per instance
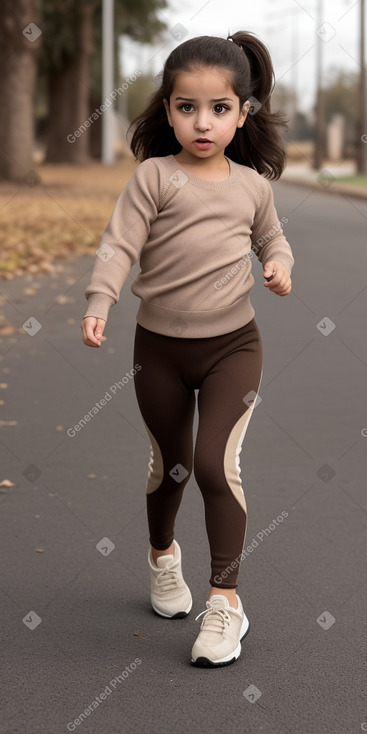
(123, 239)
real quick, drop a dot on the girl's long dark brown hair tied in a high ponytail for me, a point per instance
(258, 144)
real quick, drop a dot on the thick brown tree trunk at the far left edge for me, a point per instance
(18, 54)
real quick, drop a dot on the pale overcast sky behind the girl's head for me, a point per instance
(288, 27)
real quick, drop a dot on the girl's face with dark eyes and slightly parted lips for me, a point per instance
(203, 107)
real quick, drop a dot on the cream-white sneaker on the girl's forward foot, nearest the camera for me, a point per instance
(221, 632)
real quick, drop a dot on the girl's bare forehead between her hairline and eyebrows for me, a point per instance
(206, 81)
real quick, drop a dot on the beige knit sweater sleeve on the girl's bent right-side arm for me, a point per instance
(268, 240)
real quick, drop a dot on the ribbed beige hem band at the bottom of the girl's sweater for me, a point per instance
(195, 324)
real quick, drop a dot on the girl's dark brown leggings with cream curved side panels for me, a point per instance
(224, 369)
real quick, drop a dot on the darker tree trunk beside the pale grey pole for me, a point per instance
(67, 137)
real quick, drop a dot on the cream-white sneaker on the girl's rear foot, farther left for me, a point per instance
(170, 595)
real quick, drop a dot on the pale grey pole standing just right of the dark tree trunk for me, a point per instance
(107, 81)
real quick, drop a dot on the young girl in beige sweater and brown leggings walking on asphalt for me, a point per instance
(195, 211)
